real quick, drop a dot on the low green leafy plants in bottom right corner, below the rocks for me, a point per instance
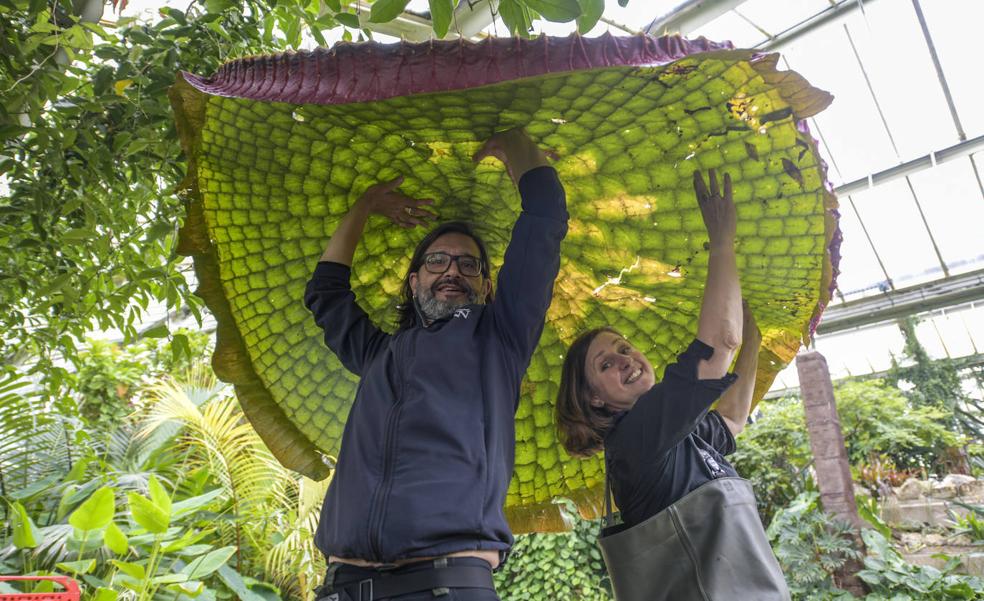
(890, 578)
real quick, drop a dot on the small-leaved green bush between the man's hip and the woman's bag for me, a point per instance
(556, 566)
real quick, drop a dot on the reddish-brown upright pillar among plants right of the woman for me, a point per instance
(830, 455)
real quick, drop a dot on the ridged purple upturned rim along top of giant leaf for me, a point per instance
(371, 71)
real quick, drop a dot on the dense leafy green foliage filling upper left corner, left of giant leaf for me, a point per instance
(89, 158)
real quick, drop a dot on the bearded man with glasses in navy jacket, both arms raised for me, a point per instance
(415, 507)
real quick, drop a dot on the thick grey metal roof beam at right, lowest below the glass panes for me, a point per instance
(938, 294)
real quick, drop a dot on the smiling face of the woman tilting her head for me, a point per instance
(617, 373)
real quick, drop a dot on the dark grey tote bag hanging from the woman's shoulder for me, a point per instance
(708, 546)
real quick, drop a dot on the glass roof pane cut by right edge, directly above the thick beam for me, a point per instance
(951, 200)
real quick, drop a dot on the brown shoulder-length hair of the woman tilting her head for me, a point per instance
(581, 426)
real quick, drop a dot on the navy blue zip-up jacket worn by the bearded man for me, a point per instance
(427, 451)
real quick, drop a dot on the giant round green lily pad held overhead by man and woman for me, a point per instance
(280, 147)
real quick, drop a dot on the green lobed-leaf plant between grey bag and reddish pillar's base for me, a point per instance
(810, 546)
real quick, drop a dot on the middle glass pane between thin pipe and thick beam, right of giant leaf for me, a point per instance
(897, 231)
